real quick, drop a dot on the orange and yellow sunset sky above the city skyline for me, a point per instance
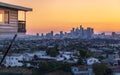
(62, 15)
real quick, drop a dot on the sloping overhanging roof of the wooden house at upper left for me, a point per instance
(6, 5)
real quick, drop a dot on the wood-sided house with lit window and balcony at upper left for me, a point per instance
(9, 23)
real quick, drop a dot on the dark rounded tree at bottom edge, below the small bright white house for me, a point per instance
(101, 69)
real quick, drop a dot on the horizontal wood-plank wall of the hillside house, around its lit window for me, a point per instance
(12, 27)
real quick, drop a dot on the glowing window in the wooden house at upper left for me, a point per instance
(4, 16)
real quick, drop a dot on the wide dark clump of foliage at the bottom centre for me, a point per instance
(45, 67)
